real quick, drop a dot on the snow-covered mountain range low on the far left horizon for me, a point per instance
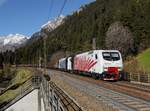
(12, 41)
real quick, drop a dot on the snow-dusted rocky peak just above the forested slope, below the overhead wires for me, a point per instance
(51, 25)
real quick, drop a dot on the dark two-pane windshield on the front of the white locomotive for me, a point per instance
(111, 56)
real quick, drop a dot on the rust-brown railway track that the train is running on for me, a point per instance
(138, 91)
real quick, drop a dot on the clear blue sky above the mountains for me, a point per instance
(27, 16)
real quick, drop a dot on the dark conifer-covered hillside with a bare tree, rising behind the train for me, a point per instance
(117, 24)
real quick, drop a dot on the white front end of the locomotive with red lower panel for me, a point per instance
(112, 65)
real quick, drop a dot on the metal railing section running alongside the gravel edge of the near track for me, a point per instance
(55, 99)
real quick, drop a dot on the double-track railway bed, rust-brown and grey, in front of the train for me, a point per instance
(121, 96)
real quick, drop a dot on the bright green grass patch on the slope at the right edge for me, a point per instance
(144, 60)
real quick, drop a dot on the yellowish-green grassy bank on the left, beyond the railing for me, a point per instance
(22, 75)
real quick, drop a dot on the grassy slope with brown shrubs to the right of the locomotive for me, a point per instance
(140, 64)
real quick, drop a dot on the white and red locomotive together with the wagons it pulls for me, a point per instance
(102, 64)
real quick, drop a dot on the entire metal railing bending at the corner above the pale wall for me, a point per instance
(53, 97)
